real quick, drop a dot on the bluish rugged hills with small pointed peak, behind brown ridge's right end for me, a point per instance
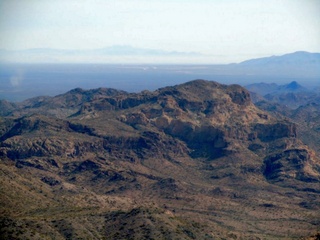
(294, 102)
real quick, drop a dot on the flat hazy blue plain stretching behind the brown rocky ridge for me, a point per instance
(21, 81)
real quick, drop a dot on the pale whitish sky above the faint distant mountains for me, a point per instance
(221, 31)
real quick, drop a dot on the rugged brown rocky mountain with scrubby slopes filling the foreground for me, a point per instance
(193, 161)
